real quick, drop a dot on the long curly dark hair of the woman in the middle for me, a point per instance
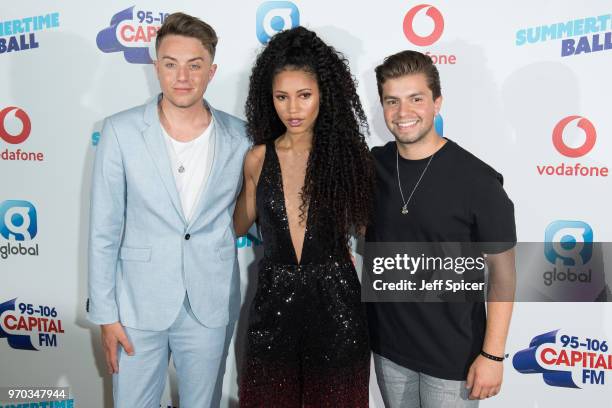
(338, 186)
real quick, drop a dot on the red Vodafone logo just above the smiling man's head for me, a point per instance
(429, 18)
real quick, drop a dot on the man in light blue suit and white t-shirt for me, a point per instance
(163, 274)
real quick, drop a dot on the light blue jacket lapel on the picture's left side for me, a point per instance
(154, 140)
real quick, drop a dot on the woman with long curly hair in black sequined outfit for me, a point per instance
(308, 182)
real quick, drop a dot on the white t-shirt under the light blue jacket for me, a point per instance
(190, 167)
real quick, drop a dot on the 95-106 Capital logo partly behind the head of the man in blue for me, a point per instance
(132, 31)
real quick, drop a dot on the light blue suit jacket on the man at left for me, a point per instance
(143, 254)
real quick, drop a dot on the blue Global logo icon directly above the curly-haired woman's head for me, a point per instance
(275, 16)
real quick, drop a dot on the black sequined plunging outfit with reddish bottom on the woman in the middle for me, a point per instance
(307, 341)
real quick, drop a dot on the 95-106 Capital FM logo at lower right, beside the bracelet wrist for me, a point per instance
(566, 359)
